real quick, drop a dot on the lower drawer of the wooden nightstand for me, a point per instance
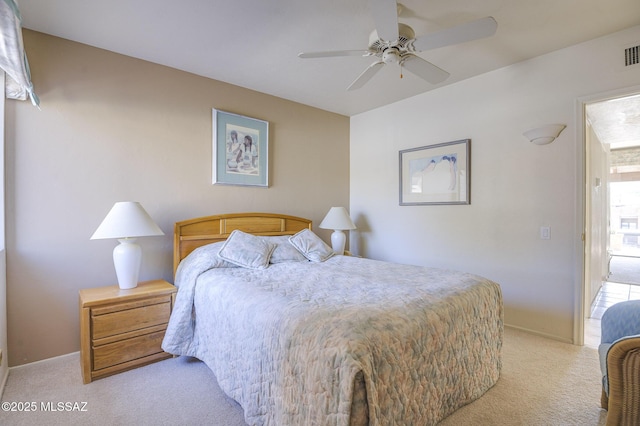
(126, 350)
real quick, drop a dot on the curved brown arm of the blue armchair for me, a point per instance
(623, 375)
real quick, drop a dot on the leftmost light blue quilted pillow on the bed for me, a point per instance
(246, 250)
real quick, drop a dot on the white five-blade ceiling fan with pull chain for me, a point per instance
(396, 43)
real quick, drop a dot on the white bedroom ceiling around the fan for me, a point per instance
(255, 43)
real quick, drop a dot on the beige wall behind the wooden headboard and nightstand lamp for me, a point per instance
(113, 128)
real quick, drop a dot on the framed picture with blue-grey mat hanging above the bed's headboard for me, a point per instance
(240, 150)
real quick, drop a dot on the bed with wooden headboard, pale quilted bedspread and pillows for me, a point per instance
(305, 337)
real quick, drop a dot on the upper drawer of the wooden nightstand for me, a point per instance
(128, 317)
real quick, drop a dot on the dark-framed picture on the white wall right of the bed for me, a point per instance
(436, 174)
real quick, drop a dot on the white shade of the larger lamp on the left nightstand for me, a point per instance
(127, 219)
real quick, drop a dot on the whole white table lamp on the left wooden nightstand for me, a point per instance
(126, 221)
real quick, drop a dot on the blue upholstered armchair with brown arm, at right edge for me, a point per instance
(619, 352)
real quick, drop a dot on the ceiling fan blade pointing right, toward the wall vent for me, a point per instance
(480, 28)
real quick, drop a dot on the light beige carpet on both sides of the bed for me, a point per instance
(543, 382)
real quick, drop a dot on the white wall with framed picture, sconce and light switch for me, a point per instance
(516, 187)
